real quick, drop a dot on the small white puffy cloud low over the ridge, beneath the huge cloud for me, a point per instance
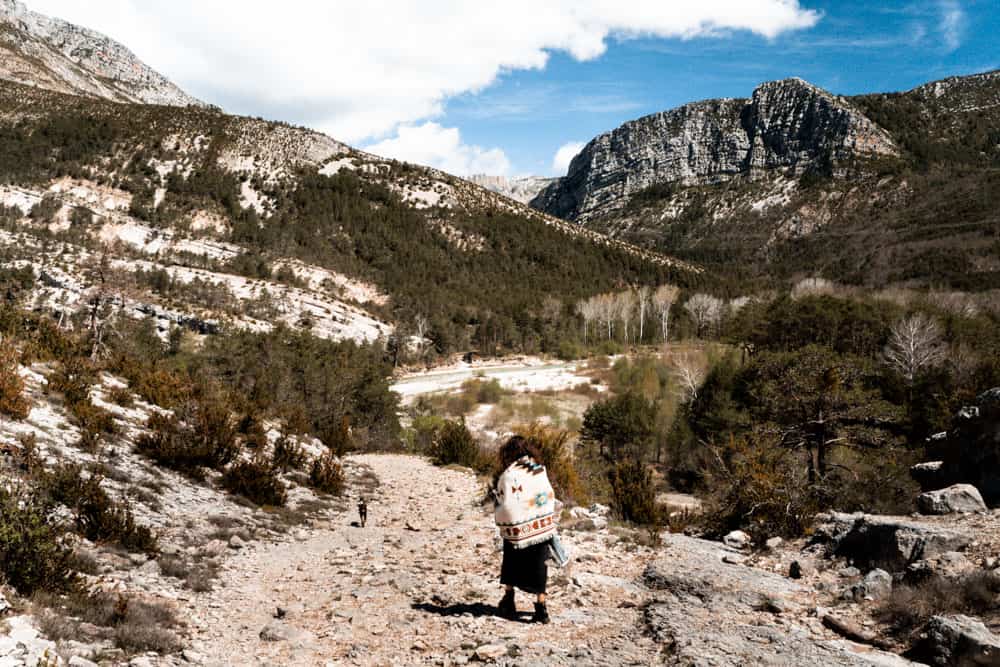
(441, 147)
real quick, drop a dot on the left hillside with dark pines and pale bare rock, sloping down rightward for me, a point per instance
(264, 222)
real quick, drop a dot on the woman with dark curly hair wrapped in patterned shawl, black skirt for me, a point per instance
(526, 516)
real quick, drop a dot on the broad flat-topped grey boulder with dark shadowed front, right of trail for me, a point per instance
(887, 542)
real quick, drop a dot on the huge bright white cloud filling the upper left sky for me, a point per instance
(359, 70)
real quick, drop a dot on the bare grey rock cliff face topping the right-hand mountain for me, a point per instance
(786, 124)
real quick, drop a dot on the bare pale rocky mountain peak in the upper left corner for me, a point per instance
(50, 53)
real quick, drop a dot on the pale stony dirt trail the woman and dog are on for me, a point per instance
(418, 585)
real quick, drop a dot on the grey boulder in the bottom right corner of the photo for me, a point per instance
(957, 641)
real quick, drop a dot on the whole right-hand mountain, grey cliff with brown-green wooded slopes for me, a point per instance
(895, 188)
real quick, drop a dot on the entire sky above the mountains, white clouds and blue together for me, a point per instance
(518, 87)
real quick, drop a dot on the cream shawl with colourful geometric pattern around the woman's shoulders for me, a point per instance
(526, 504)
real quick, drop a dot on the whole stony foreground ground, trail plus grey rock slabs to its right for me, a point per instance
(418, 585)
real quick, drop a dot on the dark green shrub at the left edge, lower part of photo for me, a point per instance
(32, 555)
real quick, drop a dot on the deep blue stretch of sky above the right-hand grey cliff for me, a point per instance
(855, 47)
